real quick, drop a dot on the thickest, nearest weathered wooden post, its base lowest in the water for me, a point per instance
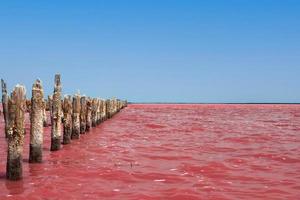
(15, 132)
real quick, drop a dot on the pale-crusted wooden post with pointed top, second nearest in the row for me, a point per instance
(36, 126)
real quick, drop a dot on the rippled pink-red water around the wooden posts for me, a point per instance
(171, 152)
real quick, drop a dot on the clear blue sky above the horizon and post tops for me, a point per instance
(156, 50)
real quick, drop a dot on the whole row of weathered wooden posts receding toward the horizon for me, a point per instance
(76, 114)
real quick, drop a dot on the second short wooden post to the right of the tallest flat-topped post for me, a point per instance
(76, 117)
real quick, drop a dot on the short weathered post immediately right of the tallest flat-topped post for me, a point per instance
(67, 109)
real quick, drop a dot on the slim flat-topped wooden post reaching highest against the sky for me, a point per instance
(56, 115)
